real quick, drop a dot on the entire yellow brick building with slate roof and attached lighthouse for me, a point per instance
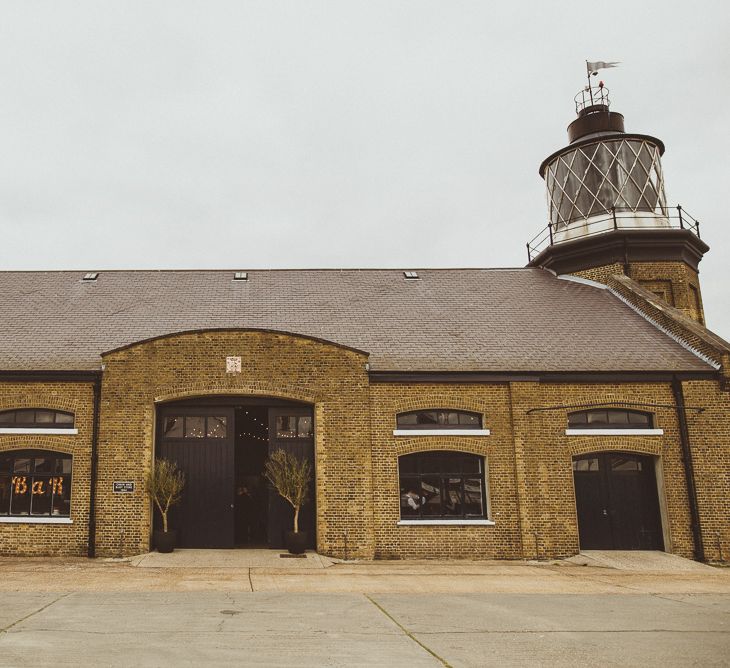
(472, 413)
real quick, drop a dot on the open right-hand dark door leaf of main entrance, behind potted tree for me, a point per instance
(291, 429)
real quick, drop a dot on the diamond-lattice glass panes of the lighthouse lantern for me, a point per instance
(592, 179)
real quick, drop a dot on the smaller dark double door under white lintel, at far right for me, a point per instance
(617, 502)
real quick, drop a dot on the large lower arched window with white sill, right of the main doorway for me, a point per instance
(442, 485)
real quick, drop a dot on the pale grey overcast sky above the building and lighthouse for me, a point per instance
(336, 134)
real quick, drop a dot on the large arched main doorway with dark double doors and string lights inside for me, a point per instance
(221, 445)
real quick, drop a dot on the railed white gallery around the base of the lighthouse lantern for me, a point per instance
(616, 219)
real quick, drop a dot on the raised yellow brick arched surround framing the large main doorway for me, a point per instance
(331, 378)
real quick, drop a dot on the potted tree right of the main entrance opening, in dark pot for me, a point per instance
(291, 476)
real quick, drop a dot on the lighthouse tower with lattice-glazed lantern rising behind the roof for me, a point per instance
(608, 213)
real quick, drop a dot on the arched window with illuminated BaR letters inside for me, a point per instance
(35, 483)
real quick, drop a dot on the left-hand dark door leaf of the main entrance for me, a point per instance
(201, 442)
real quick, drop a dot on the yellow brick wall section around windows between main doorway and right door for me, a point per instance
(472, 542)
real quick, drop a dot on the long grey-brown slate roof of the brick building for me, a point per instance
(489, 320)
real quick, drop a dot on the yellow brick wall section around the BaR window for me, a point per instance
(53, 539)
